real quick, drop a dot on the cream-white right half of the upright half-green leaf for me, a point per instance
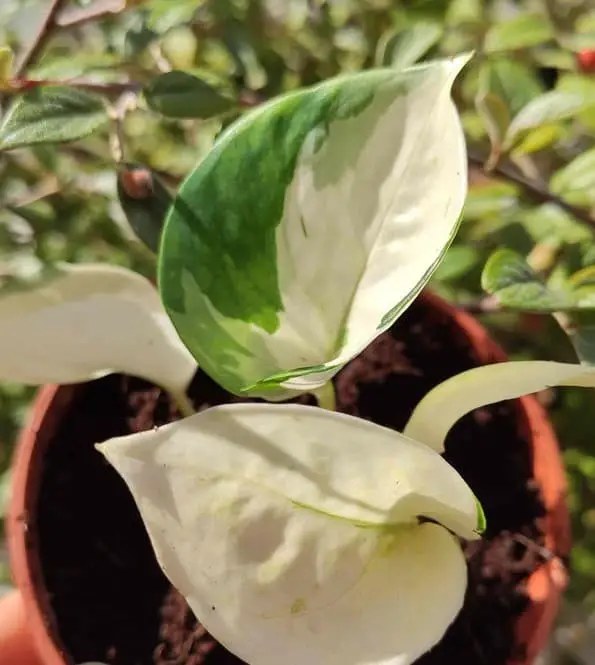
(359, 239)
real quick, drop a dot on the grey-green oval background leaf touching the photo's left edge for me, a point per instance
(51, 115)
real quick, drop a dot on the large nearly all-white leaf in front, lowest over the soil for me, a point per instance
(284, 538)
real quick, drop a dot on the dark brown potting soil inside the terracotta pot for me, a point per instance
(113, 604)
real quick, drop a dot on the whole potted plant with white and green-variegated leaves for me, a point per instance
(310, 226)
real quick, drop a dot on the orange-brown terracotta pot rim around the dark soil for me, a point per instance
(545, 586)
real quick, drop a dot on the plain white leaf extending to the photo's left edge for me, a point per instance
(86, 321)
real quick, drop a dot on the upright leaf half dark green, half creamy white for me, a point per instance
(312, 224)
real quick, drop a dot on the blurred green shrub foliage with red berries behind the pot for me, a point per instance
(152, 83)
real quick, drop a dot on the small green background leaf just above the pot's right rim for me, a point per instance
(516, 285)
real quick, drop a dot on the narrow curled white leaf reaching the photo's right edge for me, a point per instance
(440, 409)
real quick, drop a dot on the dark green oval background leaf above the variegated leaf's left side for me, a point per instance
(182, 95)
